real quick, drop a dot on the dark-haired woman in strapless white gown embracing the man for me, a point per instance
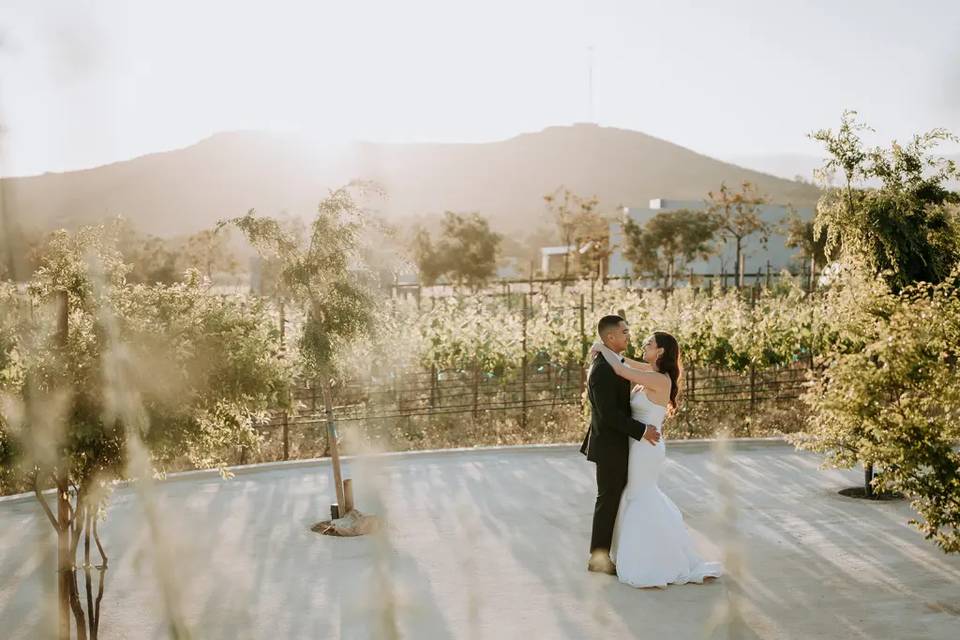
(651, 545)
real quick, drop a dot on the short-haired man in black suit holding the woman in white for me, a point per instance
(606, 443)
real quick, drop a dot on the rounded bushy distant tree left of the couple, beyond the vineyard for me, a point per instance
(466, 251)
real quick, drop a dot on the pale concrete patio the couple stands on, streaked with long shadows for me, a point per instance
(492, 544)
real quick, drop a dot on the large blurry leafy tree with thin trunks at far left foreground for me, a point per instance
(107, 380)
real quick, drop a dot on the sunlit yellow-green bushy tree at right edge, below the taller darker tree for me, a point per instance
(895, 400)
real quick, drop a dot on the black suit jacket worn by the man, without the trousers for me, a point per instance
(610, 422)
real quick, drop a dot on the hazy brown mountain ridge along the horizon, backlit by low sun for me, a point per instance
(225, 174)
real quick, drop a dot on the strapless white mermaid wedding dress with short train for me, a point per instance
(651, 545)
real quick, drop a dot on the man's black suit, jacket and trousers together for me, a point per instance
(607, 444)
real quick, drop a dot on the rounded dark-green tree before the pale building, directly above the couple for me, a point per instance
(669, 241)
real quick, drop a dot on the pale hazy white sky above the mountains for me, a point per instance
(86, 83)
